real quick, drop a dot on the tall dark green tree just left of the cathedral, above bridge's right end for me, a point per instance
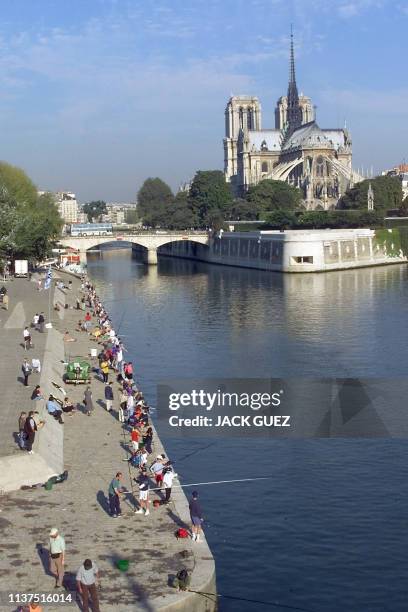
(210, 197)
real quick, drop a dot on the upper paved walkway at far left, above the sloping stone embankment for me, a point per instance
(25, 301)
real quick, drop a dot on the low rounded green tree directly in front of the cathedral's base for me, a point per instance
(271, 195)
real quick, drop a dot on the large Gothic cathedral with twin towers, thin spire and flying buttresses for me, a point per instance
(297, 151)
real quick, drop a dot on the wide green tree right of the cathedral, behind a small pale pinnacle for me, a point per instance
(387, 194)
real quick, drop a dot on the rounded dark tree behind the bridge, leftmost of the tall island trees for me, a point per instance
(153, 200)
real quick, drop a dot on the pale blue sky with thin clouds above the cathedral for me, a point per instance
(98, 95)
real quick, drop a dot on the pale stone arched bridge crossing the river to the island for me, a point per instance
(151, 241)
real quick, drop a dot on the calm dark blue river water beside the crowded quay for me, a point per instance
(328, 530)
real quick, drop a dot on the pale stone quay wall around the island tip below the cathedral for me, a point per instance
(298, 251)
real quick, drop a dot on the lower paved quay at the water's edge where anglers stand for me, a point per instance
(93, 450)
